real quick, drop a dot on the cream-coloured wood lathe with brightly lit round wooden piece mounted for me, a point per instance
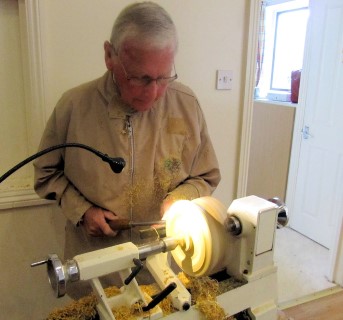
(204, 238)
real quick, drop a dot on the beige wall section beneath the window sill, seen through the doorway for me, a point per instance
(271, 141)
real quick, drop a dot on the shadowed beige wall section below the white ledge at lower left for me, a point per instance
(28, 235)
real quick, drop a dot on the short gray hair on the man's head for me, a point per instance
(147, 23)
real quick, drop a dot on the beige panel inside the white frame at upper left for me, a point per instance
(12, 97)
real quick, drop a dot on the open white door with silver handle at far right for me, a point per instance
(318, 197)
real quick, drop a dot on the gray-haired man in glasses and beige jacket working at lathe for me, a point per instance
(136, 111)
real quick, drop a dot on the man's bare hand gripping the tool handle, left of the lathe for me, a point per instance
(94, 220)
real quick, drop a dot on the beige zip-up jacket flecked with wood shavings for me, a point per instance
(167, 151)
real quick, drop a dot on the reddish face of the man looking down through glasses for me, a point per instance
(141, 63)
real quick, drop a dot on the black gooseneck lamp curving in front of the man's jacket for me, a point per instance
(116, 164)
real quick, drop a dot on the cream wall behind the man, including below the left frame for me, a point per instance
(212, 36)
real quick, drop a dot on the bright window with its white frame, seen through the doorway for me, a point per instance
(284, 38)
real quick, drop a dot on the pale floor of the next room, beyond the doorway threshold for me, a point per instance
(302, 266)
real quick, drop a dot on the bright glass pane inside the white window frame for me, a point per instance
(289, 47)
